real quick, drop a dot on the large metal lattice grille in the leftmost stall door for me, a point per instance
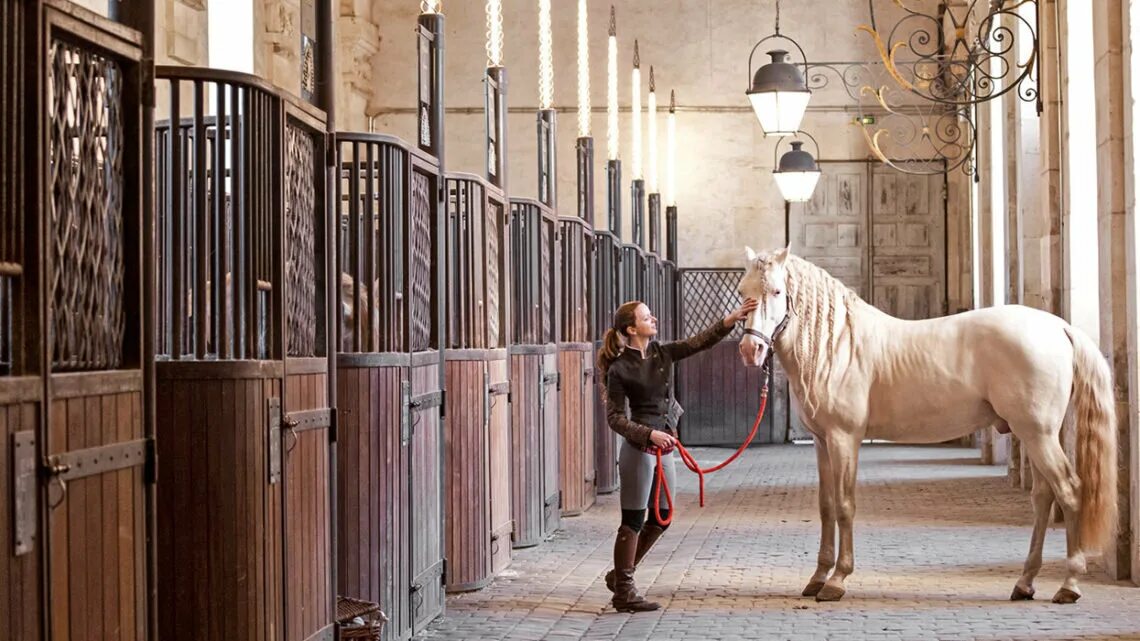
(85, 103)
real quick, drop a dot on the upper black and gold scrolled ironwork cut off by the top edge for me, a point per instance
(963, 56)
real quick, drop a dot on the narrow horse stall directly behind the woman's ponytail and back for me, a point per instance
(605, 296)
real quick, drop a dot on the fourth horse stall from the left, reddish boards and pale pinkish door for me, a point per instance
(478, 420)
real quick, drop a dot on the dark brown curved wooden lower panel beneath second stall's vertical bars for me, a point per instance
(219, 520)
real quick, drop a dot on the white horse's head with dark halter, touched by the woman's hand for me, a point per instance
(766, 280)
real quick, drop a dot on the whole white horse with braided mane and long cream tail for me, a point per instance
(857, 372)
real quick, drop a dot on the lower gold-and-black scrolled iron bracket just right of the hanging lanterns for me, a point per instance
(917, 137)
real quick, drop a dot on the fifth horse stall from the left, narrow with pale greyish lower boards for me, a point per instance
(534, 372)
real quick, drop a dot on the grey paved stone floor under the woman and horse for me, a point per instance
(940, 542)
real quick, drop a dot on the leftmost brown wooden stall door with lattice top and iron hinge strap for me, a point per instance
(96, 443)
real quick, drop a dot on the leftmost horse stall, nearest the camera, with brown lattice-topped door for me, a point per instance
(77, 448)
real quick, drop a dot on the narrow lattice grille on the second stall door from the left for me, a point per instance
(300, 241)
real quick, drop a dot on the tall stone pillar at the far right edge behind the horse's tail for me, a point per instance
(1118, 274)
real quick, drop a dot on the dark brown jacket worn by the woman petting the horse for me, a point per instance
(647, 384)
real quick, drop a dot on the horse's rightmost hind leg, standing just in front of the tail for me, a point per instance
(1053, 467)
